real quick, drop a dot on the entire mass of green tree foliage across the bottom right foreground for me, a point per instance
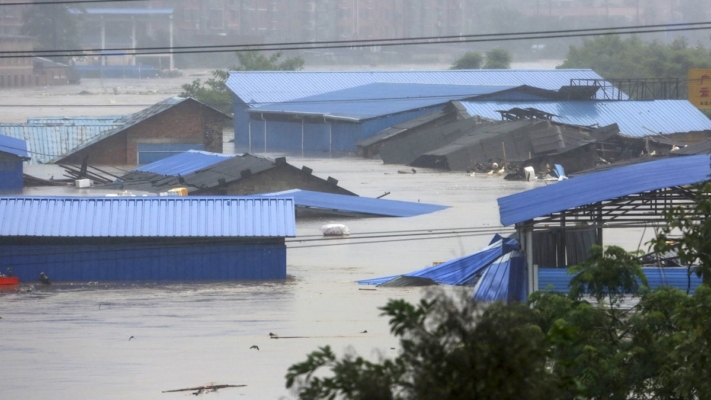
(591, 344)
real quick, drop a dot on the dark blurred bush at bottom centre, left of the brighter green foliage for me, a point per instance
(451, 349)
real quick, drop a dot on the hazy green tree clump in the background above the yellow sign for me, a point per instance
(616, 58)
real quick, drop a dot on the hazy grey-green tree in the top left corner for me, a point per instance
(55, 27)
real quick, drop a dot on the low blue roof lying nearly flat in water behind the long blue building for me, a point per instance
(356, 204)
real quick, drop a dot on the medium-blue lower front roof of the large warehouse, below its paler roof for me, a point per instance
(377, 99)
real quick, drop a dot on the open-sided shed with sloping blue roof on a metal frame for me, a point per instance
(634, 195)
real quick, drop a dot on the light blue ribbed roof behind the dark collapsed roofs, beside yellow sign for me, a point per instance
(635, 118)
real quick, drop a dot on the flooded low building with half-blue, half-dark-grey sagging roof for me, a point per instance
(204, 173)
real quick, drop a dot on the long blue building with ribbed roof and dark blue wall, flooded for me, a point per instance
(80, 239)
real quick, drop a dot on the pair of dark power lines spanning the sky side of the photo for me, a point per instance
(433, 40)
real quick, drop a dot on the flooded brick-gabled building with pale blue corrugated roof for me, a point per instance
(168, 127)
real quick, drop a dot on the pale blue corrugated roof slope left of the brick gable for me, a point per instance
(47, 142)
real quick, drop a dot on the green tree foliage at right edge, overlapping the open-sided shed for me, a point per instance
(693, 245)
